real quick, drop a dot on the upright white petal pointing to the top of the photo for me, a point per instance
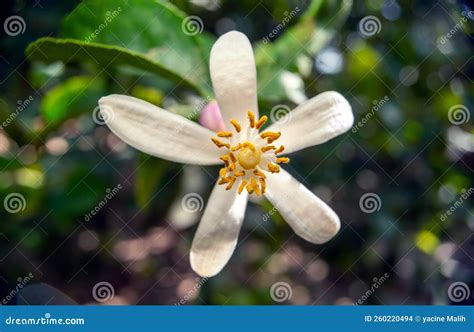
(234, 77)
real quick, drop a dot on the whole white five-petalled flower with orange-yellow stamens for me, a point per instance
(250, 157)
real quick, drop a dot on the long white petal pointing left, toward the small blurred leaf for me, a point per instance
(157, 132)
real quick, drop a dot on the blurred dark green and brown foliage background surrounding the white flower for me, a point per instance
(85, 218)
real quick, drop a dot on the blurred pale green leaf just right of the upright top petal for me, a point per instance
(314, 30)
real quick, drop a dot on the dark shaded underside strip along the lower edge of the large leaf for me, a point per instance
(50, 50)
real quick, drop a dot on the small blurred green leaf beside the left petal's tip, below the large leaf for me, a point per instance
(71, 98)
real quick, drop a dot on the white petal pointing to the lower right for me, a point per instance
(309, 216)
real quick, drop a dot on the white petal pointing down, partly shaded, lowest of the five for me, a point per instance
(217, 234)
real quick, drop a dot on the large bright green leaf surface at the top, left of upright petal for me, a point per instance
(150, 28)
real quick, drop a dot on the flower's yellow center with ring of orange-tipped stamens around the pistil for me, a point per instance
(255, 156)
